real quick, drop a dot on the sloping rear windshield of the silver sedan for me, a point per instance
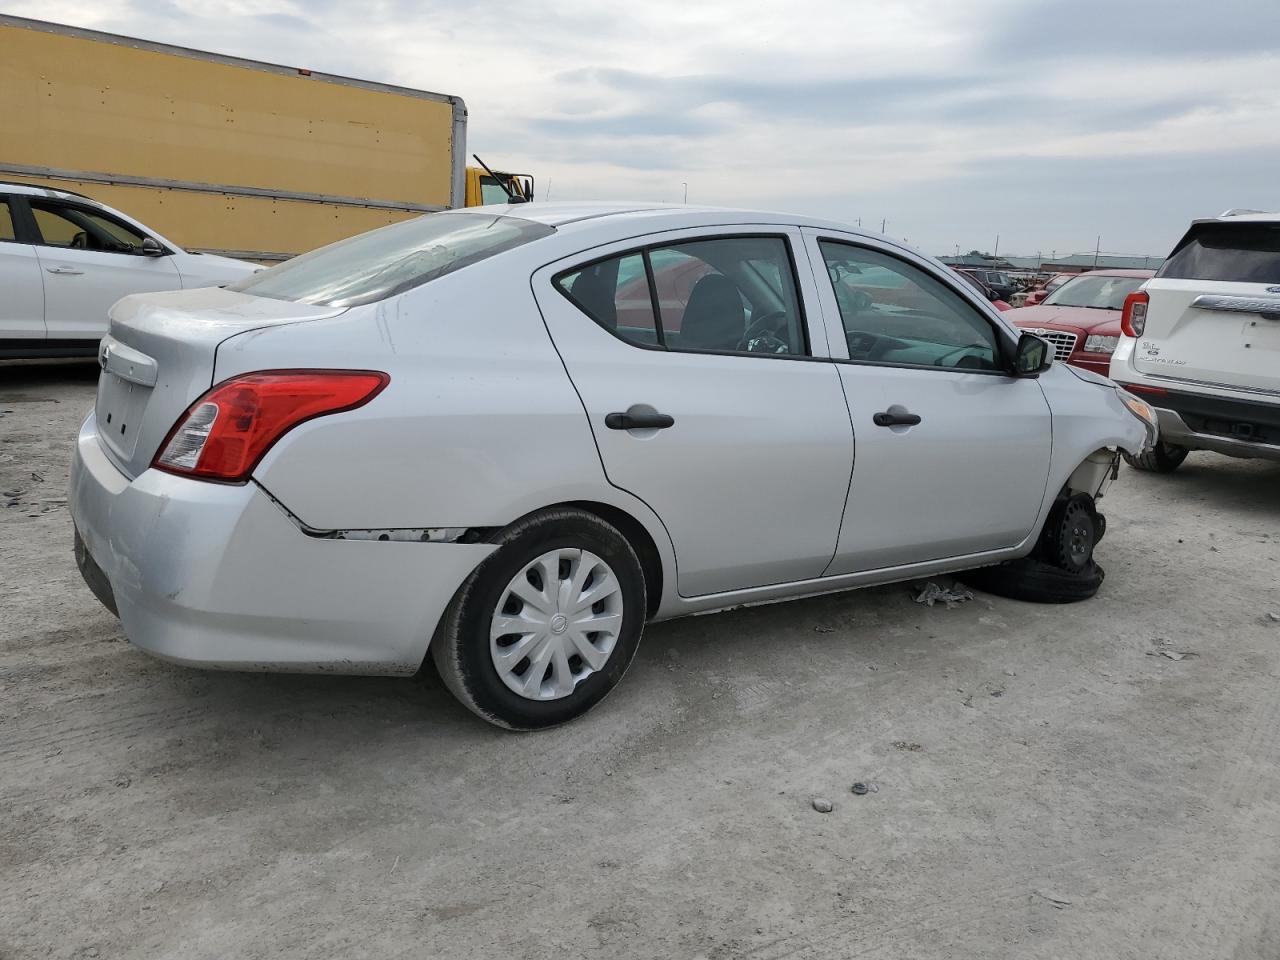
(391, 260)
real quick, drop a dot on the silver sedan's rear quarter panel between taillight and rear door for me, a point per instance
(478, 427)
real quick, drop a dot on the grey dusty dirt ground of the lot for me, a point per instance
(1045, 781)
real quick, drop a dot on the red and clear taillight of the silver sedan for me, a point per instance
(227, 432)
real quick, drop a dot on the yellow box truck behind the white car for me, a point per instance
(227, 156)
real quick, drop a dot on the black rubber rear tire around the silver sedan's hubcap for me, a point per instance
(461, 647)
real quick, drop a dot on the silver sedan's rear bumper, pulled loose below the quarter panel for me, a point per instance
(216, 575)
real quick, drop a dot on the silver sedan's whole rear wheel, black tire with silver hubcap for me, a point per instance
(546, 628)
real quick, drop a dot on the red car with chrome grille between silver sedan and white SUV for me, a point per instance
(1082, 318)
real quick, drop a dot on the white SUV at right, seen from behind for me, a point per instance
(1203, 342)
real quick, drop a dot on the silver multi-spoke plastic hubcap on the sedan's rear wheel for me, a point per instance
(556, 624)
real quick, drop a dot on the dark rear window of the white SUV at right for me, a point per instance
(1242, 253)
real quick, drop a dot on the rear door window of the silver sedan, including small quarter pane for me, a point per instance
(732, 295)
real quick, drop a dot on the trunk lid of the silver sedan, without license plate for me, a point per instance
(159, 355)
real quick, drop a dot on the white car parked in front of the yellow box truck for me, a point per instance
(66, 259)
